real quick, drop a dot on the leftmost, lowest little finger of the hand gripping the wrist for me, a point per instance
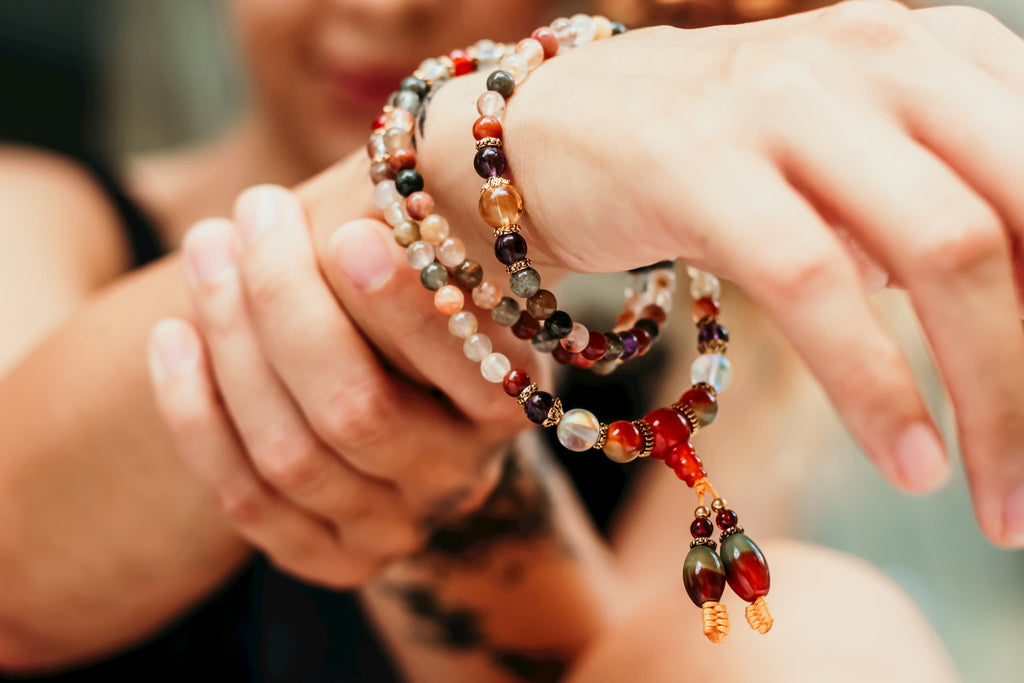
(204, 437)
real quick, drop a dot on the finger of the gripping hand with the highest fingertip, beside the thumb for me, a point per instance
(381, 425)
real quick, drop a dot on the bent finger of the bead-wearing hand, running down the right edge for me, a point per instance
(951, 250)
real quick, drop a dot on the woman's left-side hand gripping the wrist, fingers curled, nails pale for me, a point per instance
(323, 453)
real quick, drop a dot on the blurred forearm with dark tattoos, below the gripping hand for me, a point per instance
(514, 593)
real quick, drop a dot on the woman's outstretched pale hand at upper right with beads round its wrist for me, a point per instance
(740, 149)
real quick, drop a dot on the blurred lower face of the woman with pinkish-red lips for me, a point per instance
(321, 70)
